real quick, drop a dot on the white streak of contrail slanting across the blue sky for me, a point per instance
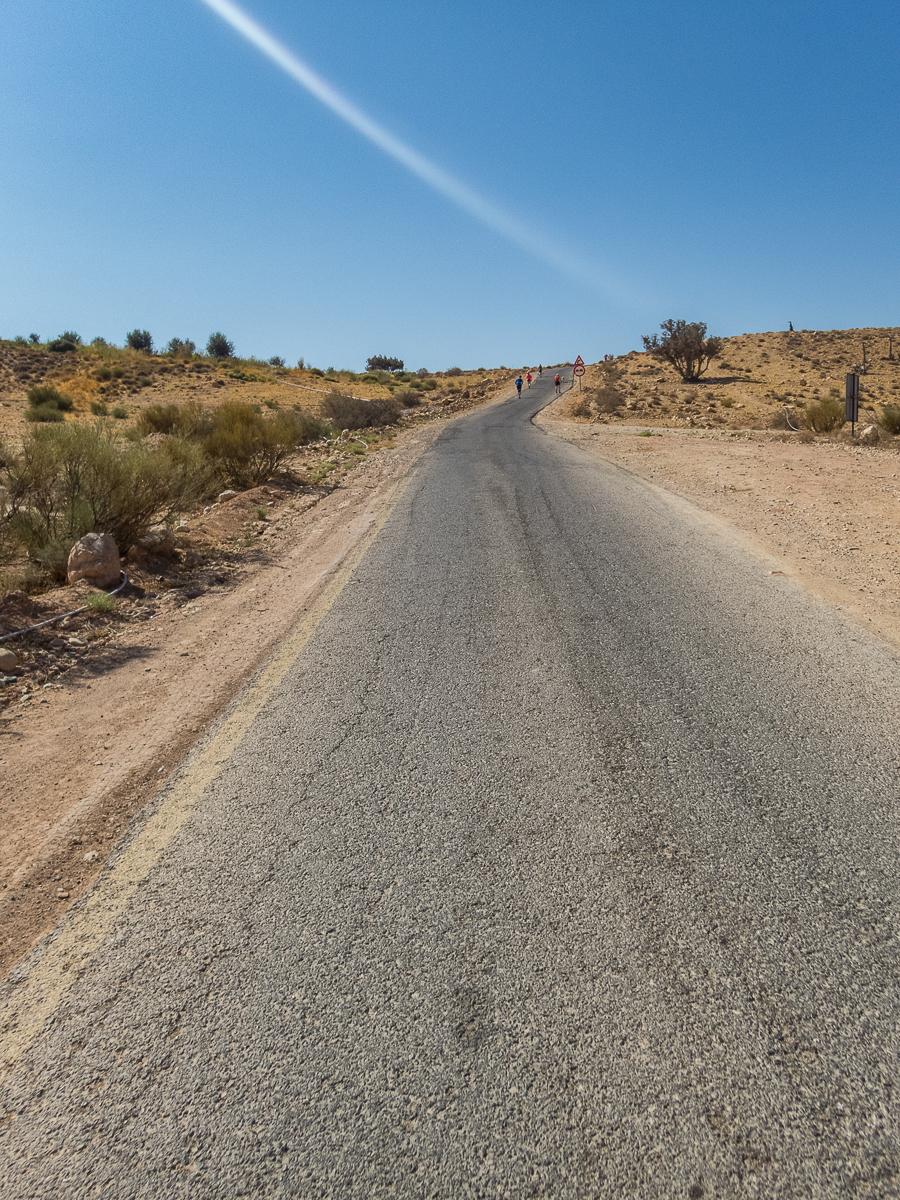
(436, 177)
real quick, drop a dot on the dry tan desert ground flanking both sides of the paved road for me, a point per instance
(103, 706)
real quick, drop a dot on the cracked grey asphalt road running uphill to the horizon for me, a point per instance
(562, 862)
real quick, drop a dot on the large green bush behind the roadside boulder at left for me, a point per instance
(74, 479)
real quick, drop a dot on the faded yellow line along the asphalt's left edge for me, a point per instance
(33, 1001)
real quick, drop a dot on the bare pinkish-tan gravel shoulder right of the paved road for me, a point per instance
(826, 514)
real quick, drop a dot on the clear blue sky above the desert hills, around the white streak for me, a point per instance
(721, 163)
